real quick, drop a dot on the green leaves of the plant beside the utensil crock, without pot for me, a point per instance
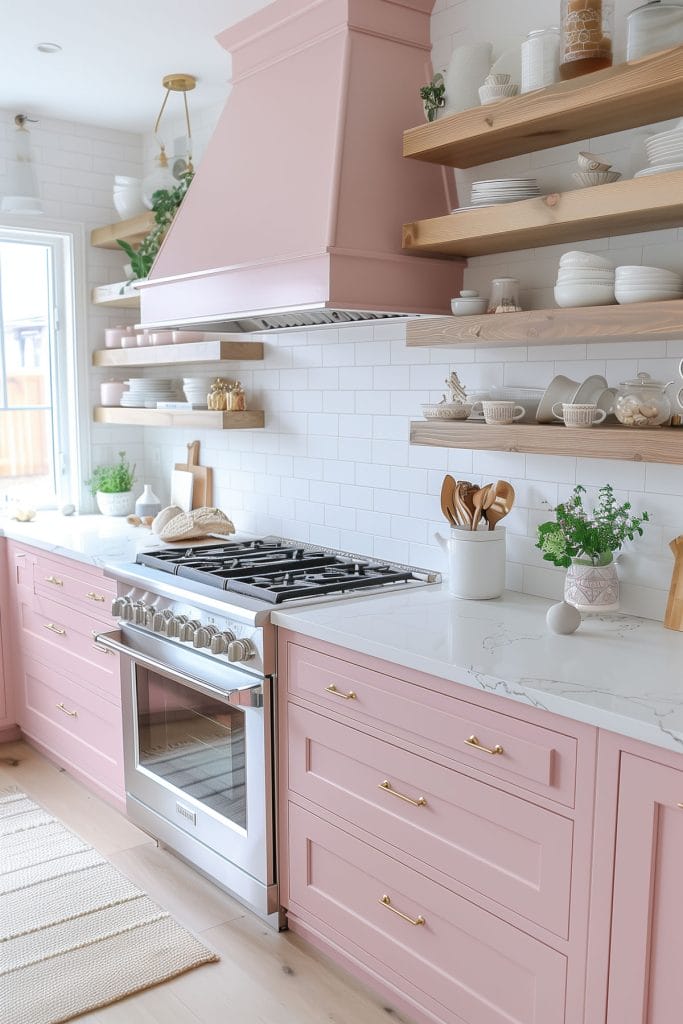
(589, 538)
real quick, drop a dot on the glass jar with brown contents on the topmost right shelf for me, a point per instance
(586, 40)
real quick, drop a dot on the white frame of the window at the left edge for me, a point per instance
(70, 360)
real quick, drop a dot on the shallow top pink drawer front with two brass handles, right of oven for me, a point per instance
(529, 756)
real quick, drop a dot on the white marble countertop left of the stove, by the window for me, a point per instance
(97, 540)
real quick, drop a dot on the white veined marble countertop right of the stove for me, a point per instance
(617, 672)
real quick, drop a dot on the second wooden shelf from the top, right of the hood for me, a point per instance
(637, 205)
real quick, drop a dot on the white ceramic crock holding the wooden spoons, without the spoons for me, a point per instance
(477, 563)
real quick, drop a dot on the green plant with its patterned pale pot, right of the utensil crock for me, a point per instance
(585, 543)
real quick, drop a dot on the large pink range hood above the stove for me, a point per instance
(294, 218)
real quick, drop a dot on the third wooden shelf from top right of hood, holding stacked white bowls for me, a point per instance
(637, 322)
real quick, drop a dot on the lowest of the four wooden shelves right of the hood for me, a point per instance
(663, 445)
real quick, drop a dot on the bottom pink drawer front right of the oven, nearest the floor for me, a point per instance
(462, 964)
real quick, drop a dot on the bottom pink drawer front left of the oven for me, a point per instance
(79, 729)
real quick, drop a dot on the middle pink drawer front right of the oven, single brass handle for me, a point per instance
(501, 846)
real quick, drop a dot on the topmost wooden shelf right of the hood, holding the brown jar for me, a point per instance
(628, 96)
